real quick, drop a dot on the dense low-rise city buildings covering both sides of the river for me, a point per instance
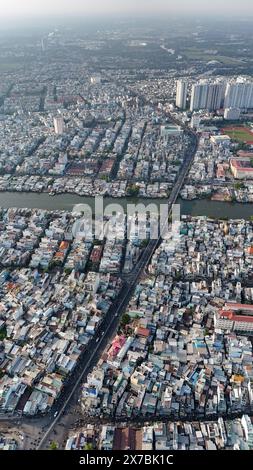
(183, 350)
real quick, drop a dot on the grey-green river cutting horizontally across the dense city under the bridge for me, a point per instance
(67, 202)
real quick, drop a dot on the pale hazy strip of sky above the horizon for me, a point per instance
(32, 8)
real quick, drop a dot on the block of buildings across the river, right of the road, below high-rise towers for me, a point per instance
(217, 160)
